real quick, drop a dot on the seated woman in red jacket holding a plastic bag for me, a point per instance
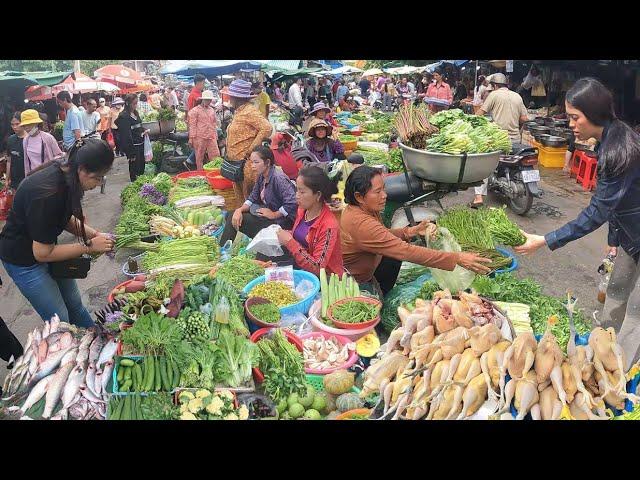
(314, 241)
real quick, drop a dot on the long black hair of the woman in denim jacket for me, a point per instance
(620, 149)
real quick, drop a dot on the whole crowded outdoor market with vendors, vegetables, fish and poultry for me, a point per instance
(320, 240)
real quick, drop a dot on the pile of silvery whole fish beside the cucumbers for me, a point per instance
(64, 373)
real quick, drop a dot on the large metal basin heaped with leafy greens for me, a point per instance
(445, 168)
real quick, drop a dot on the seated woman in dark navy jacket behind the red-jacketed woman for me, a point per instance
(272, 200)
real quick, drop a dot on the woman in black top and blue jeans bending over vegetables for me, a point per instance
(48, 202)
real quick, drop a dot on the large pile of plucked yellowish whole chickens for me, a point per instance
(442, 363)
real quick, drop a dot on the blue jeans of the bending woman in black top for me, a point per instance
(49, 295)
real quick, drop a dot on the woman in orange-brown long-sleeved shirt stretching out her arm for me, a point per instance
(371, 252)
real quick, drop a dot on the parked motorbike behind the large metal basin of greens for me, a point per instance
(516, 179)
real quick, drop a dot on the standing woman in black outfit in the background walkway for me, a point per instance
(132, 135)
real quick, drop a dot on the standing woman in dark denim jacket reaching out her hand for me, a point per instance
(589, 105)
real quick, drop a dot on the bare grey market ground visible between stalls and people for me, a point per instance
(573, 267)
